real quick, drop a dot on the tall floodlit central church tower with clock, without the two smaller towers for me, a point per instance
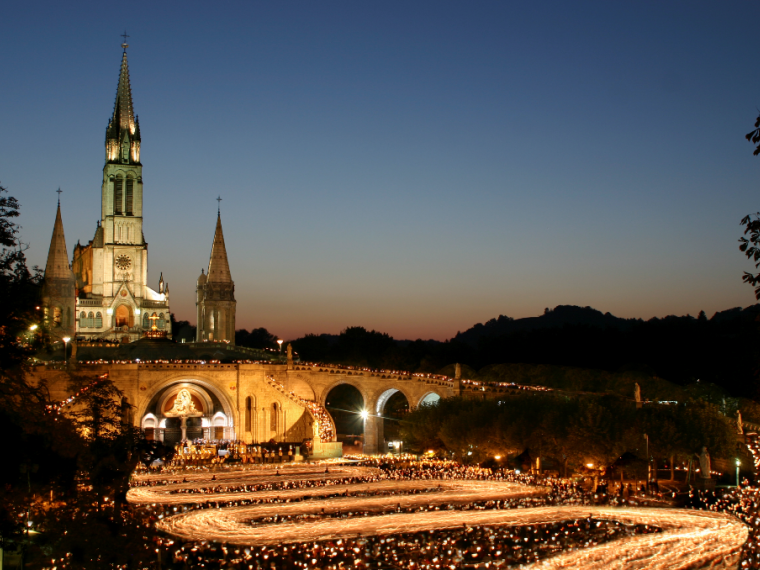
(114, 300)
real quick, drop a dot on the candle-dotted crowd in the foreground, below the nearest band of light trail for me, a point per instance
(482, 547)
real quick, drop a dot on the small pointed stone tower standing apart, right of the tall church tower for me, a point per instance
(215, 295)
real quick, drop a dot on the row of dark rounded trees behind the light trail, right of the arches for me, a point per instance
(568, 431)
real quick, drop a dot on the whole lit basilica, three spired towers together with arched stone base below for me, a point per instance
(112, 324)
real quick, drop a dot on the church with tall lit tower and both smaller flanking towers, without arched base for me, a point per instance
(103, 294)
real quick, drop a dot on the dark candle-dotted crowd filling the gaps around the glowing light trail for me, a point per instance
(493, 547)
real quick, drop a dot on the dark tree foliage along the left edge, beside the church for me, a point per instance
(79, 458)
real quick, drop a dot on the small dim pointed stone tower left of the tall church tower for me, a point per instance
(58, 287)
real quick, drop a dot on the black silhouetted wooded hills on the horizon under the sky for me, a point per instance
(719, 350)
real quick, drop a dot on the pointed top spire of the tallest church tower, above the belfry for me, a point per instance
(123, 132)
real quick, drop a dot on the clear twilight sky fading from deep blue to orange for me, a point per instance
(412, 167)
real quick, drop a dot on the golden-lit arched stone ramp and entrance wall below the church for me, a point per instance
(254, 402)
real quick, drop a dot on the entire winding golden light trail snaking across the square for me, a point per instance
(689, 539)
